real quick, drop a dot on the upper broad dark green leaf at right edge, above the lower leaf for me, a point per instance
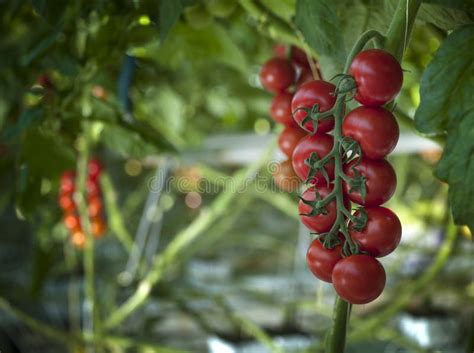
(446, 87)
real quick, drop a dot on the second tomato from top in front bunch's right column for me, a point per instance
(374, 128)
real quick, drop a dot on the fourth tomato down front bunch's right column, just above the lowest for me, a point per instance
(381, 234)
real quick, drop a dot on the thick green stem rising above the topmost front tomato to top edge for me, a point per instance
(400, 28)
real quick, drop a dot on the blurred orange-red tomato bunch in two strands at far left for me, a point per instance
(95, 207)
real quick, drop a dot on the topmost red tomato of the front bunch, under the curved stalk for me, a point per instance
(378, 76)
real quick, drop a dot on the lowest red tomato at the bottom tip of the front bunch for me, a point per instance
(358, 279)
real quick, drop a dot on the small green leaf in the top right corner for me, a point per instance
(446, 18)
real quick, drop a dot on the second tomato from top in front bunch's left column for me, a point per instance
(319, 143)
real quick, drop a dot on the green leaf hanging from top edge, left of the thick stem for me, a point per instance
(321, 27)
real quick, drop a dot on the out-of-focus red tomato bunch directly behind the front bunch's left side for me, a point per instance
(284, 73)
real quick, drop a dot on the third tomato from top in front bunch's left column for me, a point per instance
(320, 223)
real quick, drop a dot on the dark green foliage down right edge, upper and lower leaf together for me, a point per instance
(447, 106)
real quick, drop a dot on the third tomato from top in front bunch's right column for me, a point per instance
(381, 181)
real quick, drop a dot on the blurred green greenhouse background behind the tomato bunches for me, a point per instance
(211, 252)
